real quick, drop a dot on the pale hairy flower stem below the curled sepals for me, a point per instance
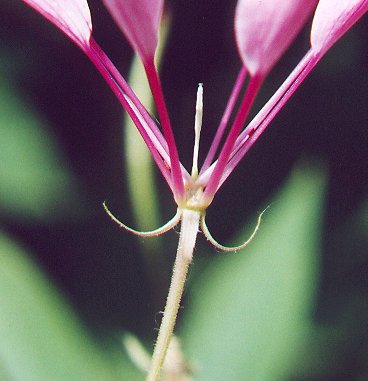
(188, 235)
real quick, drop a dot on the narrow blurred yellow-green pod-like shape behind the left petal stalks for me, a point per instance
(141, 171)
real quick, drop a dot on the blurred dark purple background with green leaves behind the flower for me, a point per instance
(293, 306)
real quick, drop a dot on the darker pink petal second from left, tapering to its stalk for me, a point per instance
(139, 20)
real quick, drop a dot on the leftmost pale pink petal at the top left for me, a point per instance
(71, 16)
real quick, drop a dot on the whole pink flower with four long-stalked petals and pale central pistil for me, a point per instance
(263, 31)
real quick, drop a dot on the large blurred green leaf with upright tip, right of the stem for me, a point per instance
(249, 311)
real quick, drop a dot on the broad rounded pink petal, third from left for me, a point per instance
(265, 29)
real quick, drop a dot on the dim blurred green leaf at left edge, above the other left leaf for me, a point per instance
(34, 182)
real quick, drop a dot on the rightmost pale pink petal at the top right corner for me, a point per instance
(332, 19)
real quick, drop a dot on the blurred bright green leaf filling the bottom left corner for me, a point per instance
(41, 338)
